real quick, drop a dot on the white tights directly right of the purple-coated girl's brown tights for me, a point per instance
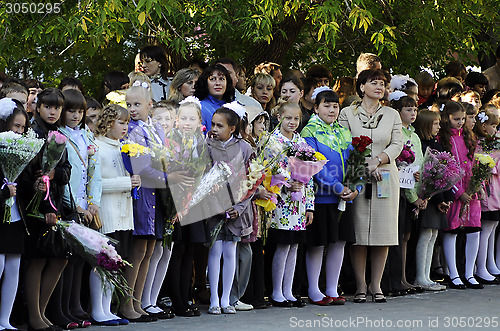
(158, 266)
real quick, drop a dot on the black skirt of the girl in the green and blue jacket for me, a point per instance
(326, 227)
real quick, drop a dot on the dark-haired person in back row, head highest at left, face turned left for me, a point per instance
(154, 65)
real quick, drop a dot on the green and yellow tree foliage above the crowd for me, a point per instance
(88, 38)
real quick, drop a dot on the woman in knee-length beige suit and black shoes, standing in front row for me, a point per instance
(375, 218)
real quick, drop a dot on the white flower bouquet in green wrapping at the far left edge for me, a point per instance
(16, 151)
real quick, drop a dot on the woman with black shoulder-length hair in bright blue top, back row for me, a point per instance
(213, 88)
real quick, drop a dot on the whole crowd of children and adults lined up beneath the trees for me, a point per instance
(253, 253)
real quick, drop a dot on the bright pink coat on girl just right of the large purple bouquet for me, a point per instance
(472, 215)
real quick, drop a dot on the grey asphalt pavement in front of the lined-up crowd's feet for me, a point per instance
(447, 310)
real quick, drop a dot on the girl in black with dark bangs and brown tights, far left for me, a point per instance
(43, 268)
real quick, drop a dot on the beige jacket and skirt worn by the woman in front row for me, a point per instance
(376, 219)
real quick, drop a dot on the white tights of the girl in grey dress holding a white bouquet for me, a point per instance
(227, 249)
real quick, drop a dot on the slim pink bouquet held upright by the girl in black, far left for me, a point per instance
(52, 154)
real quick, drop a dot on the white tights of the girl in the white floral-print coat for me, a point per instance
(283, 269)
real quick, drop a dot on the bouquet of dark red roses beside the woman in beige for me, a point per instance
(355, 165)
